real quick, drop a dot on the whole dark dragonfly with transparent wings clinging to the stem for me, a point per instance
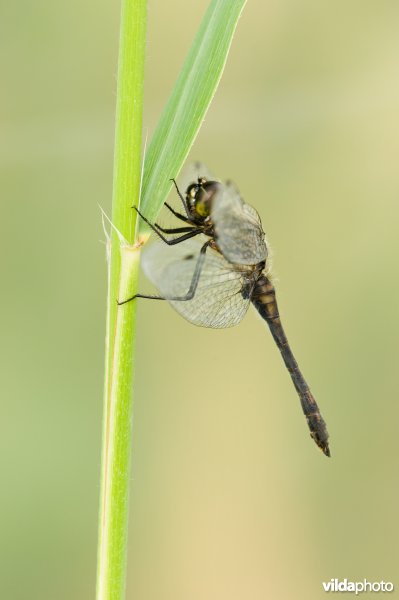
(217, 266)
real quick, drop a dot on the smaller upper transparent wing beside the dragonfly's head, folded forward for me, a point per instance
(238, 229)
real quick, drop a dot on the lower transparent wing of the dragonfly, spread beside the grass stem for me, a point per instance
(217, 302)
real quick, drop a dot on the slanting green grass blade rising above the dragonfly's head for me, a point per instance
(188, 103)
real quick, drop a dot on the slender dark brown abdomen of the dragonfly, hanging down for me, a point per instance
(264, 299)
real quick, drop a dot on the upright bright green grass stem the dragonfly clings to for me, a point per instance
(123, 274)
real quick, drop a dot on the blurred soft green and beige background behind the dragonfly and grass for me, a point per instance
(230, 498)
